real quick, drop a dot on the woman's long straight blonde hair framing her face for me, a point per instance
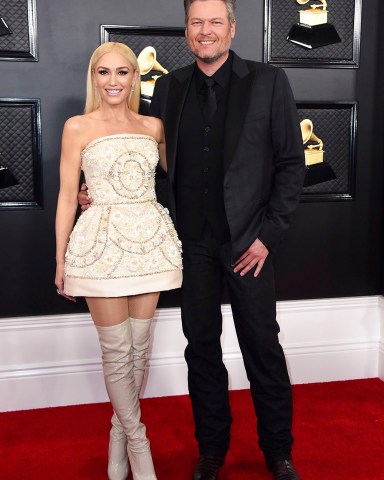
(92, 101)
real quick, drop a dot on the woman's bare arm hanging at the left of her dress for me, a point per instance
(70, 166)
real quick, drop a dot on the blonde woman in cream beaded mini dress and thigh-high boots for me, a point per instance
(124, 249)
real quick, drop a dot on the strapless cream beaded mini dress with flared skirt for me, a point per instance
(125, 243)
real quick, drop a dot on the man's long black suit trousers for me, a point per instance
(207, 265)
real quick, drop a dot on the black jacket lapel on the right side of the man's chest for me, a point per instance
(238, 104)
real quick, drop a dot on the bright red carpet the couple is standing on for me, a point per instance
(338, 429)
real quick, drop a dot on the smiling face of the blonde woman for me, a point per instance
(114, 77)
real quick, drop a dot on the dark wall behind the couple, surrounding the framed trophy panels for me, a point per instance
(333, 248)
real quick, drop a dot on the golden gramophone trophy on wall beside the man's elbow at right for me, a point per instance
(316, 169)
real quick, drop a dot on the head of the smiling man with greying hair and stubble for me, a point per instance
(208, 31)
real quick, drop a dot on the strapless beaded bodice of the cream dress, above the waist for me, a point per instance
(120, 169)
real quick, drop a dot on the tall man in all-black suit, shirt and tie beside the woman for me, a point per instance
(235, 173)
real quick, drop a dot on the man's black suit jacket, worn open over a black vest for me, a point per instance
(263, 150)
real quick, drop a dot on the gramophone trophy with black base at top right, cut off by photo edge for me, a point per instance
(313, 29)
